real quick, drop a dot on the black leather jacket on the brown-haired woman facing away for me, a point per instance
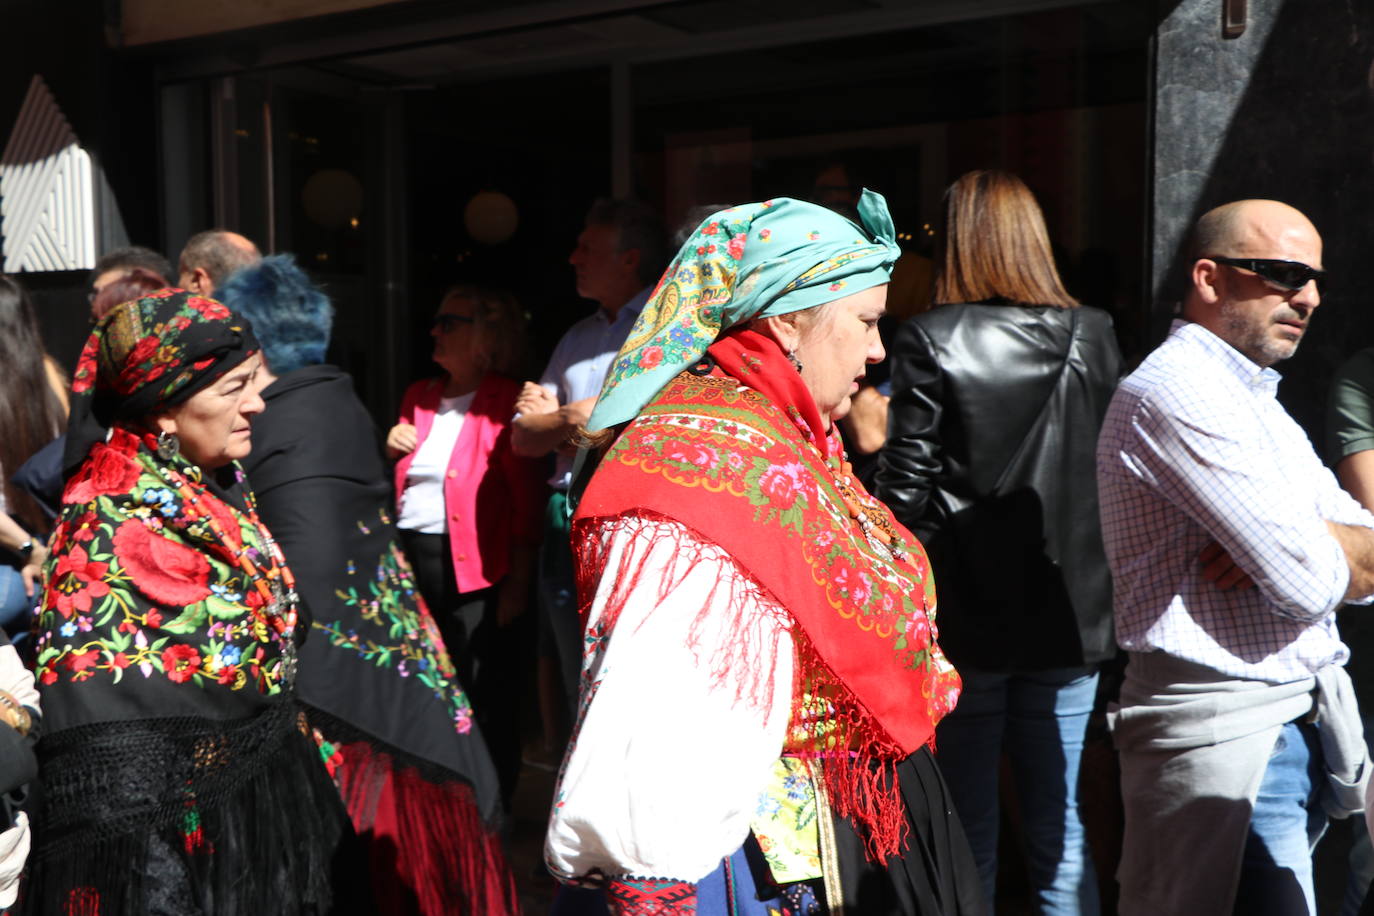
(990, 459)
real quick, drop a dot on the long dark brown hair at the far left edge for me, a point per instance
(31, 413)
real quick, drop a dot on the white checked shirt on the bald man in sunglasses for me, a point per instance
(1196, 448)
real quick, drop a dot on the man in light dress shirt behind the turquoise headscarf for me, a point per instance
(619, 257)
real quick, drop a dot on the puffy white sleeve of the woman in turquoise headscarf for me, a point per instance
(685, 707)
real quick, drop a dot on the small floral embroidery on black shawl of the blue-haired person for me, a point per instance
(396, 631)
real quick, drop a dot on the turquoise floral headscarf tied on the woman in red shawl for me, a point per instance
(750, 262)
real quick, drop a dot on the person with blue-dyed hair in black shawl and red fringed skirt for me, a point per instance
(376, 675)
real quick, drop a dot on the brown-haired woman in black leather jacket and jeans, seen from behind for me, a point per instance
(997, 400)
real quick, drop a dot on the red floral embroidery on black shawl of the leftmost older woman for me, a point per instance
(139, 584)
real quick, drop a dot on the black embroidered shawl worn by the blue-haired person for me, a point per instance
(325, 492)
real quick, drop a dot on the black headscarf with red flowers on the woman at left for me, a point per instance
(149, 355)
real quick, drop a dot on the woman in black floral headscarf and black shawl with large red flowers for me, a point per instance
(177, 775)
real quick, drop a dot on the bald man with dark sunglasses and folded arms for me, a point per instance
(1232, 547)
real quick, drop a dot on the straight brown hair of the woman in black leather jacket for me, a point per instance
(995, 245)
